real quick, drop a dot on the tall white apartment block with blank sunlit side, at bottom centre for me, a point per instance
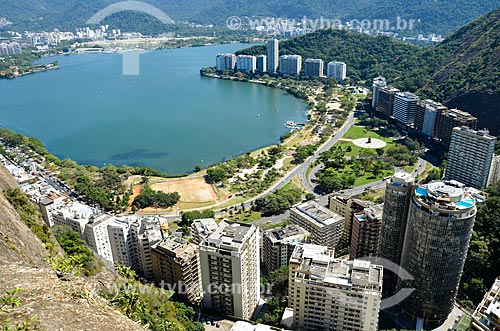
(230, 269)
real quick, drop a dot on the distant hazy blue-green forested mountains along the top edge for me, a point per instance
(432, 16)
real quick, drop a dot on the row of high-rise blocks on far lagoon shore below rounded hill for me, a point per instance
(273, 63)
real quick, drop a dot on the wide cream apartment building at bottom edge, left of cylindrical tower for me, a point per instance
(330, 294)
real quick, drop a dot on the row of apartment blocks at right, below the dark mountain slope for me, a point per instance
(471, 157)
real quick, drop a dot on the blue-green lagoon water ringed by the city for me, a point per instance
(168, 117)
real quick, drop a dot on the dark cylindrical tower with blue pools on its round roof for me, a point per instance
(438, 231)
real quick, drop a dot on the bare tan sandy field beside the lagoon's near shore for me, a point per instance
(192, 190)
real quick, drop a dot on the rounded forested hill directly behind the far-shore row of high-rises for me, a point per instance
(366, 56)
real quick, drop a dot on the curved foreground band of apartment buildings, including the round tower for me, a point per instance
(424, 229)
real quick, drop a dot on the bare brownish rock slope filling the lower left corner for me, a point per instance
(69, 303)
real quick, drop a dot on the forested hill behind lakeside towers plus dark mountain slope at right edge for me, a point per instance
(463, 71)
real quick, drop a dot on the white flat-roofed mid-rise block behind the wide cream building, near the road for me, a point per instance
(325, 226)
